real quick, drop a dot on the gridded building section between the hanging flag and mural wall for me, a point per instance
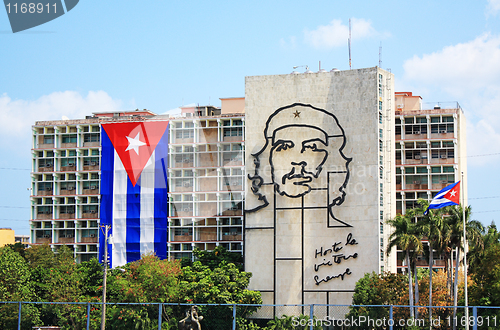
(206, 179)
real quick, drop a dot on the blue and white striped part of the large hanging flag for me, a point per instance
(129, 232)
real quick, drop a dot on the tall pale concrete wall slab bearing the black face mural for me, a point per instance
(320, 158)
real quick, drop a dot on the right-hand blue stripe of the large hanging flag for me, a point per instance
(161, 197)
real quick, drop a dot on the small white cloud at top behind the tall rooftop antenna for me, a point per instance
(336, 34)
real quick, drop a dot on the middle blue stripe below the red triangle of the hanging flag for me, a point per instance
(133, 220)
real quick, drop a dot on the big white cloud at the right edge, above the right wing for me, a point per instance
(470, 73)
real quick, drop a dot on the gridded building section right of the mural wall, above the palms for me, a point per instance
(430, 152)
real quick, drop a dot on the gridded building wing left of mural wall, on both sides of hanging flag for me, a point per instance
(205, 174)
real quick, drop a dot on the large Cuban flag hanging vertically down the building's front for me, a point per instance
(134, 190)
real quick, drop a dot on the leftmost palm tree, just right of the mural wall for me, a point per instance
(405, 236)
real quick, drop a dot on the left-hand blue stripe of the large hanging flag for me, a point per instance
(106, 189)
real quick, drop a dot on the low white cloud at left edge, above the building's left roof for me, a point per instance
(19, 115)
